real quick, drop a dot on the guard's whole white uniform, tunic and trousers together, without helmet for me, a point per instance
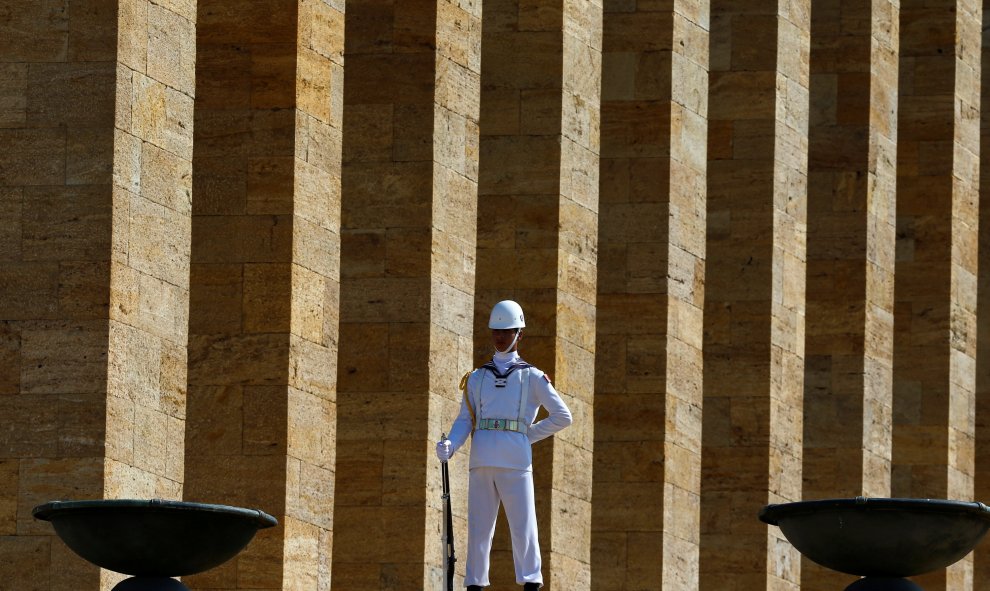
(504, 397)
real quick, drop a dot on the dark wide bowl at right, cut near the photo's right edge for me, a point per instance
(875, 537)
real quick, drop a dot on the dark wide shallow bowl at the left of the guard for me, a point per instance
(153, 538)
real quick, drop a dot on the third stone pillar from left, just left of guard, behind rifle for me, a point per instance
(407, 265)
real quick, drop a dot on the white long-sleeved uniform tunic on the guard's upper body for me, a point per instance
(508, 449)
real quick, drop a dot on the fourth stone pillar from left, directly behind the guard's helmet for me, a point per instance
(537, 241)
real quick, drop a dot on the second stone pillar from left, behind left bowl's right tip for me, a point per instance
(265, 281)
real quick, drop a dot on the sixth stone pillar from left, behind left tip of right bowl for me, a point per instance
(755, 290)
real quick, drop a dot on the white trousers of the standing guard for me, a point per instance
(487, 487)
